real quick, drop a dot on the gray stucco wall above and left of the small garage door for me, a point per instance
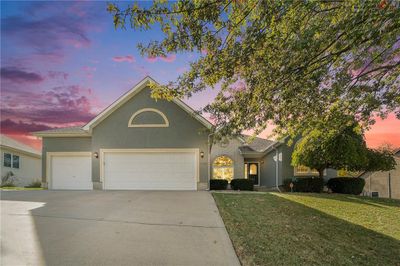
(63, 144)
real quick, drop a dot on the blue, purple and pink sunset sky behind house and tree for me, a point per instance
(63, 62)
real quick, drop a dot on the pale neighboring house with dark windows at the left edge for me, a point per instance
(23, 161)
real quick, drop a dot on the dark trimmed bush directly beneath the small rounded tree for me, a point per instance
(305, 184)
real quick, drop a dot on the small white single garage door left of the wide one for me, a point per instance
(71, 172)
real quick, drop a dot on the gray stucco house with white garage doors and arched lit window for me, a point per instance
(140, 143)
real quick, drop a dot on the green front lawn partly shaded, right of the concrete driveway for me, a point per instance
(311, 229)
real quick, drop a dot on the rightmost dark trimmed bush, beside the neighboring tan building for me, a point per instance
(346, 185)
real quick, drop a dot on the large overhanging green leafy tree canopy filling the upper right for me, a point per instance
(292, 63)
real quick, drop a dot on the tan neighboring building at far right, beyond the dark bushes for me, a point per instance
(383, 184)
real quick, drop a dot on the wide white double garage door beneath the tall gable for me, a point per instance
(150, 170)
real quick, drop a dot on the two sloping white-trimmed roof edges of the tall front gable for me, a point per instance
(130, 94)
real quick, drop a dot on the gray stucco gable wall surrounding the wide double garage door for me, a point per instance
(184, 131)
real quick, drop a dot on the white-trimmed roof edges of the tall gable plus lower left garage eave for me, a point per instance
(86, 129)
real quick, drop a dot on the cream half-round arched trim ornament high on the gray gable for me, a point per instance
(148, 117)
